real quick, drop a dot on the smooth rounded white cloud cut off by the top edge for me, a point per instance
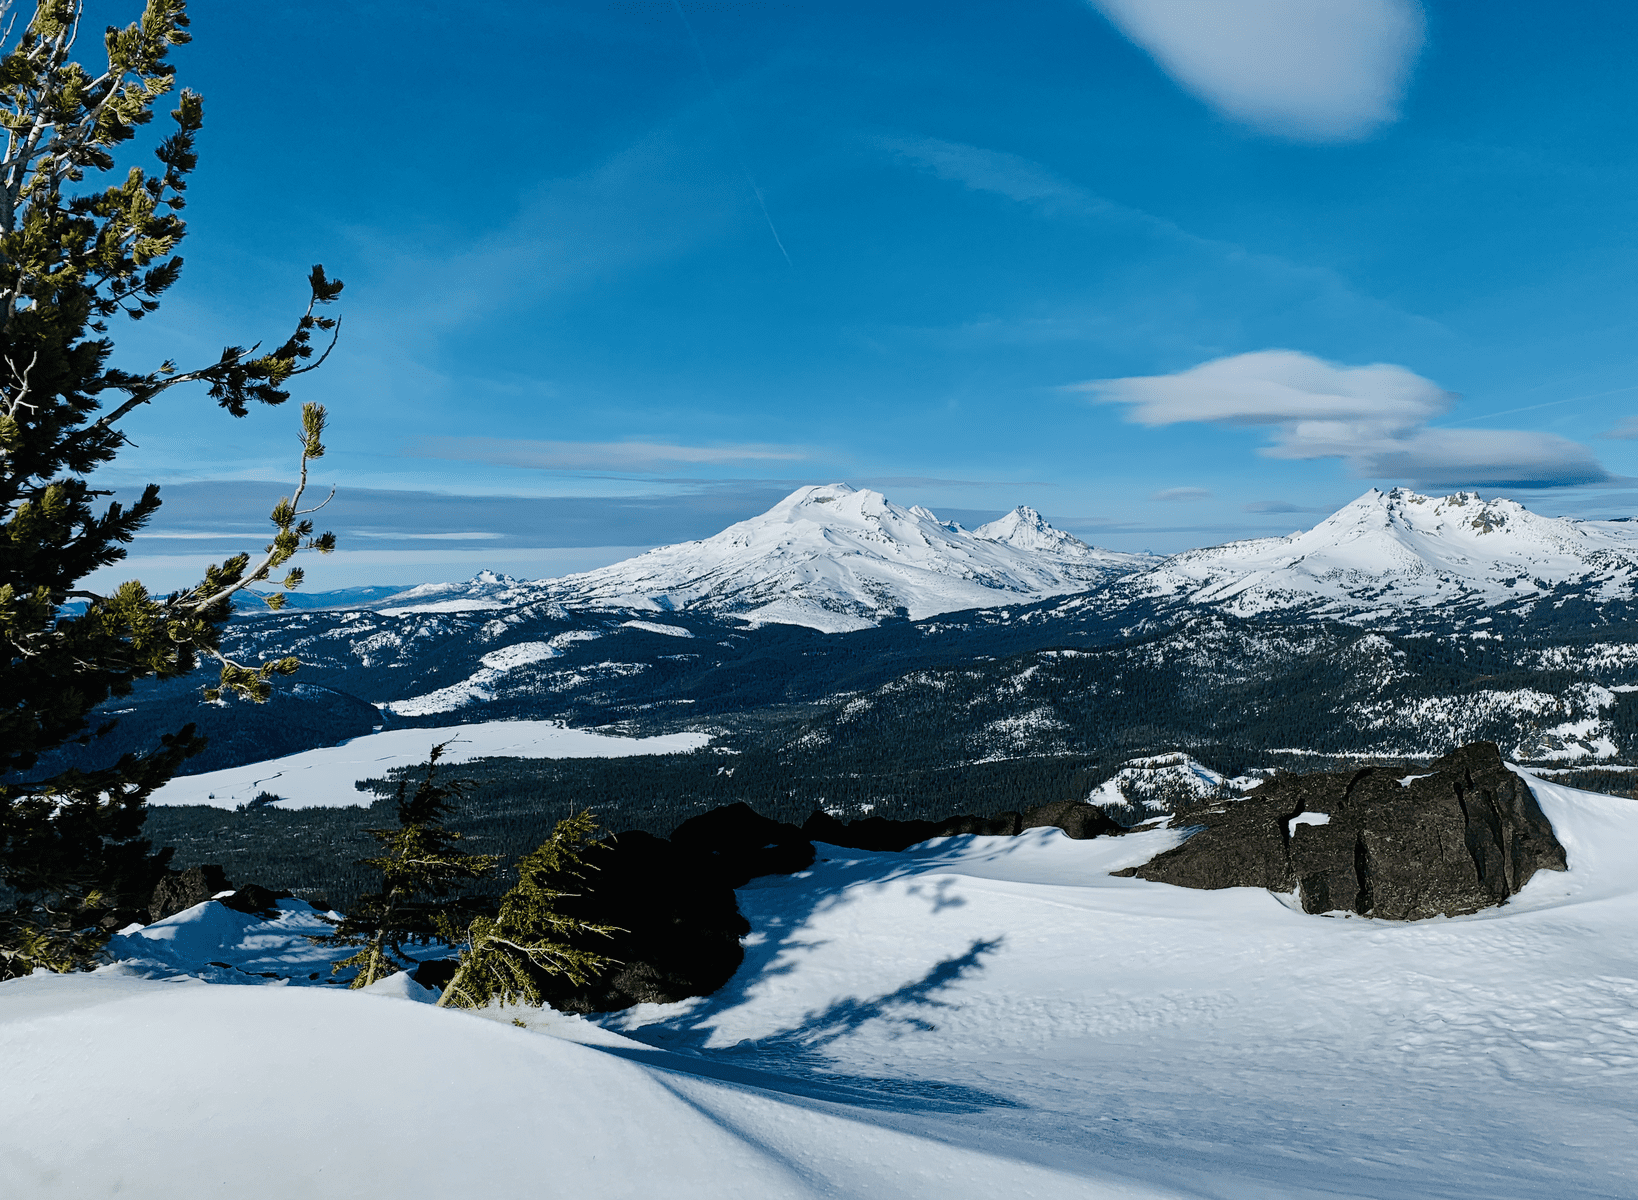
(1305, 70)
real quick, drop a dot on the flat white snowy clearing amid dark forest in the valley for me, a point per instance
(325, 778)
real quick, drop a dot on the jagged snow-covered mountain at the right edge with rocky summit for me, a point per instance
(1398, 549)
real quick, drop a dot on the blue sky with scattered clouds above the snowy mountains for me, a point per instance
(1169, 271)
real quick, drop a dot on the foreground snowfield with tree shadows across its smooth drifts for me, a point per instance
(972, 1019)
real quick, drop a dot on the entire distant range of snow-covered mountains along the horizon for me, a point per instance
(843, 559)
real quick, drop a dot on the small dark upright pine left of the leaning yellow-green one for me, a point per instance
(422, 872)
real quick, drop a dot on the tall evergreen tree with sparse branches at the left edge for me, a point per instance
(71, 261)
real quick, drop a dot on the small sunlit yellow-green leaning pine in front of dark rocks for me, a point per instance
(530, 939)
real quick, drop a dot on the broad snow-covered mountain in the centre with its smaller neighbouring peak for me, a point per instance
(830, 557)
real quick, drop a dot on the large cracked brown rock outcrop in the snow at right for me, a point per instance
(1462, 837)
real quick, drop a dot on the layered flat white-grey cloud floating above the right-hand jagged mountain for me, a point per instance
(1375, 418)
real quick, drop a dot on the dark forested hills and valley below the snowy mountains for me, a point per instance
(969, 713)
